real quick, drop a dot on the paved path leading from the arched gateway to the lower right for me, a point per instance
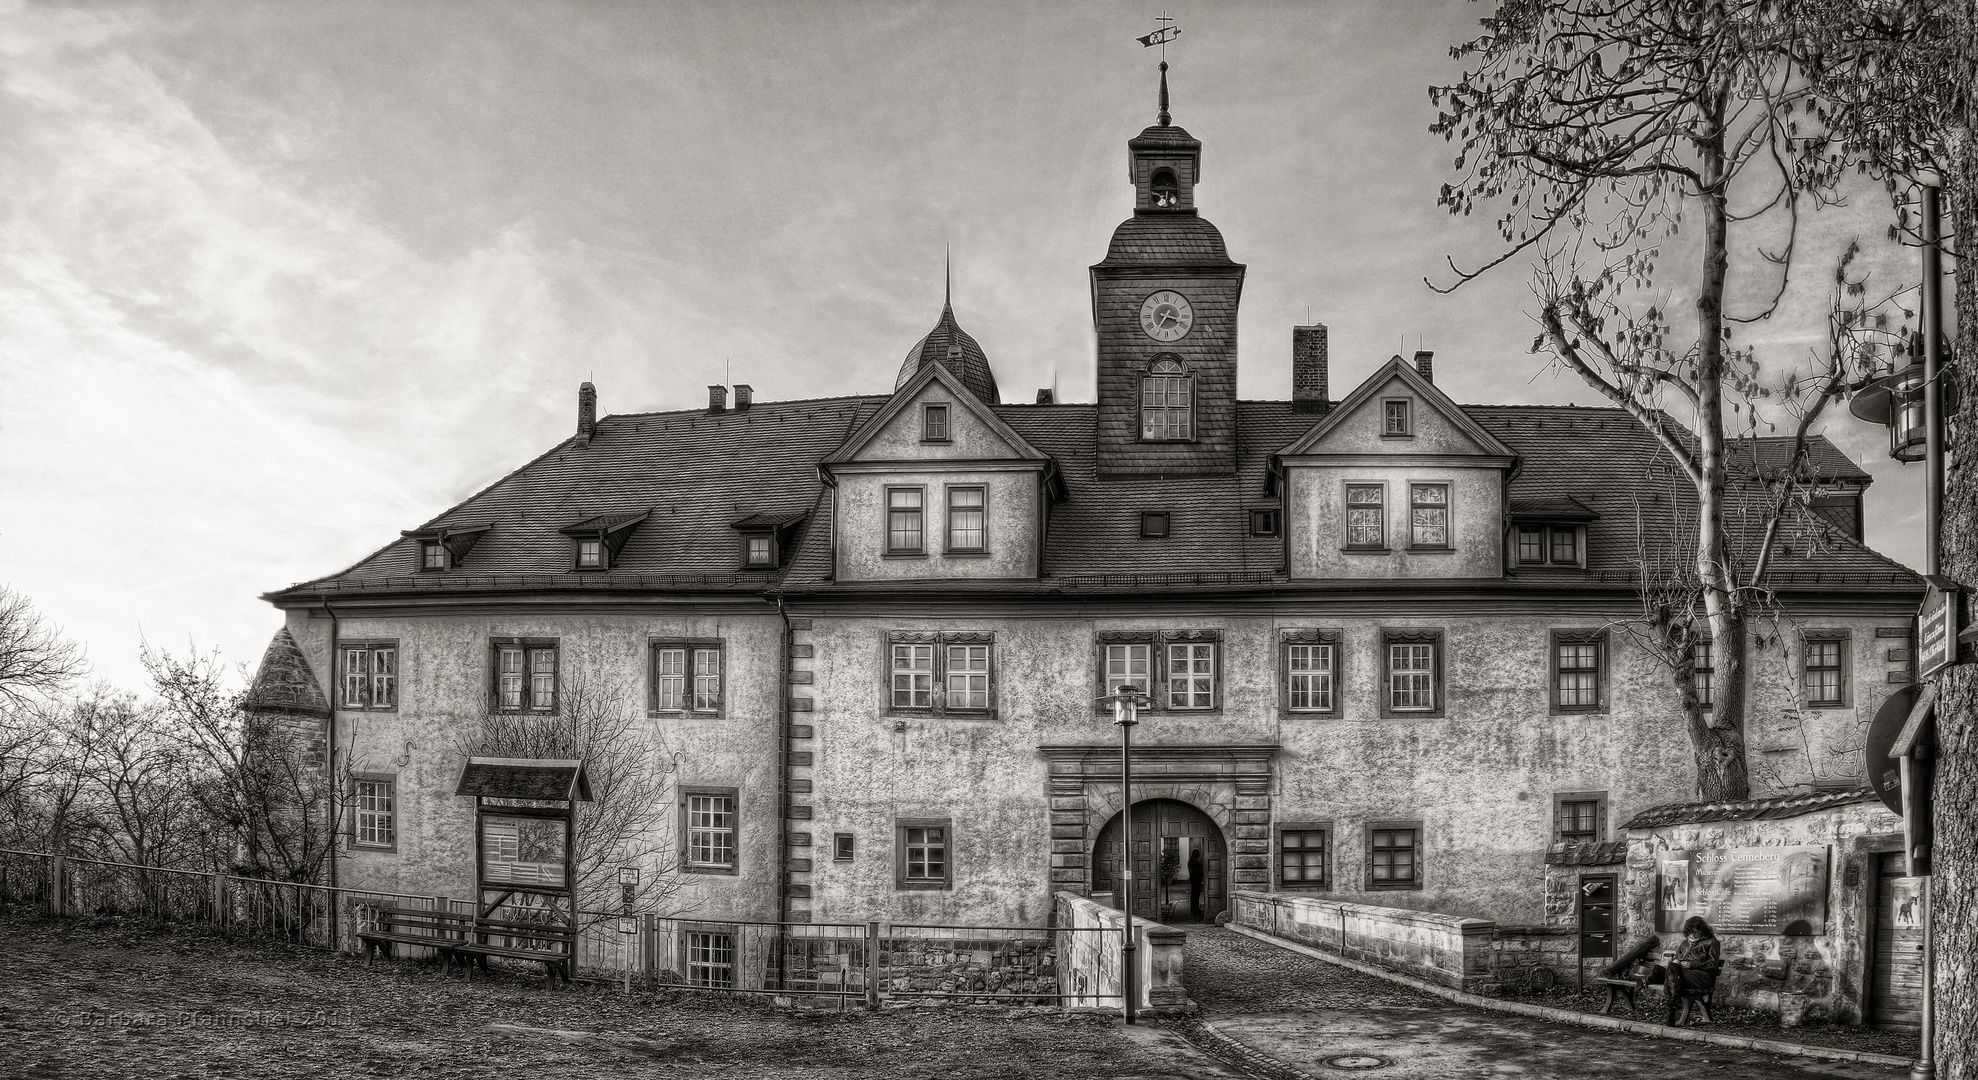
(1332, 1022)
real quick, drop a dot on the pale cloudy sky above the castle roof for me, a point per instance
(284, 280)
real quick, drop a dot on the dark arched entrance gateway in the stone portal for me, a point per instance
(1166, 836)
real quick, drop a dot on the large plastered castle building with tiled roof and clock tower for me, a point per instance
(1390, 642)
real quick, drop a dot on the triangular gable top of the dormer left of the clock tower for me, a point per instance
(895, 434)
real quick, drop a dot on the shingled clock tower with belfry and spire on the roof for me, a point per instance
(1164, 306)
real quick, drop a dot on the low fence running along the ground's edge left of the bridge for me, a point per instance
(814, 964)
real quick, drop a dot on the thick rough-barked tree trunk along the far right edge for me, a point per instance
(1957, 687)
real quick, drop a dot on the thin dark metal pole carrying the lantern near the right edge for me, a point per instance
(1933, 515)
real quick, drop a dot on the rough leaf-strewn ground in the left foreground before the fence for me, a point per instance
(106, 998)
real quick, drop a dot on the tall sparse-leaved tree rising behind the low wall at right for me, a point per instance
(1601, 126)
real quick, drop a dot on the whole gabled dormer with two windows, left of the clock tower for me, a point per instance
(939, 488)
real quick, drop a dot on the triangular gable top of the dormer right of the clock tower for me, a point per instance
(1437, 424)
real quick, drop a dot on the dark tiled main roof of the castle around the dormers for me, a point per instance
(703, 474)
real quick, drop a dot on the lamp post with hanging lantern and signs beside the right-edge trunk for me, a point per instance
(1912, 405)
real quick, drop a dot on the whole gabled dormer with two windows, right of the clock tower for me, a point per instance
(1397, 482)
